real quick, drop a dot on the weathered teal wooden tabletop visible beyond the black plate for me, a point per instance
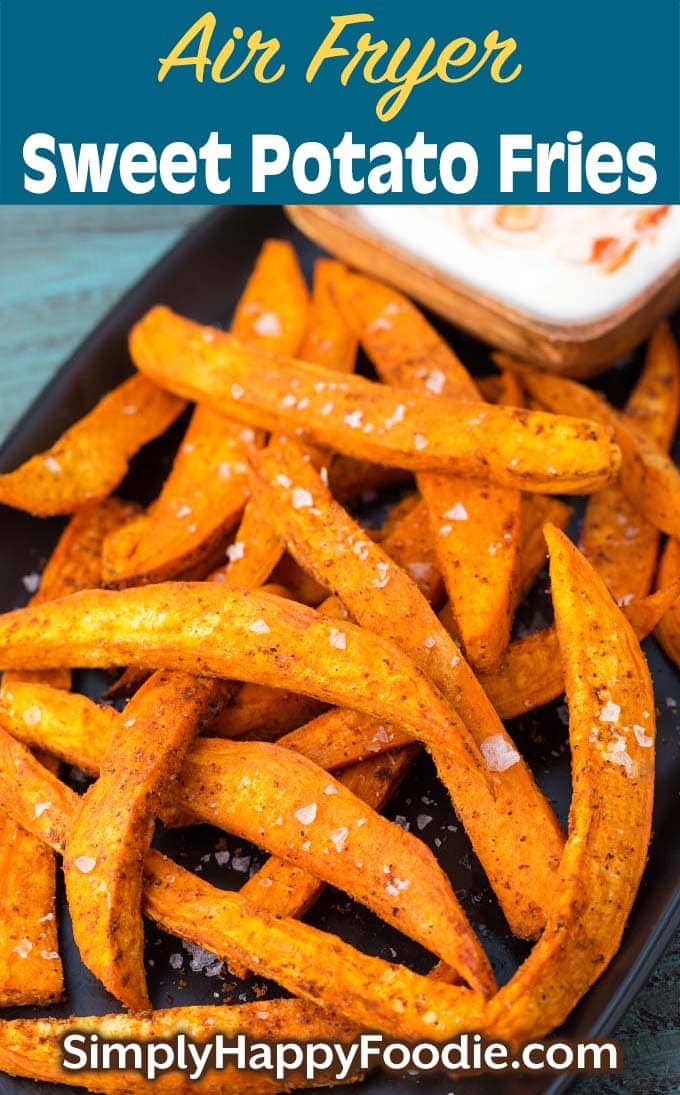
(60, 271)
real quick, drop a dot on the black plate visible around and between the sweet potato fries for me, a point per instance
(203, 278)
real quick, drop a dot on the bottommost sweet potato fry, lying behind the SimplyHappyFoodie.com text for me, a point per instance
(33, 1048)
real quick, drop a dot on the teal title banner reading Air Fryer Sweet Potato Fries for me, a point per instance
(262, 102)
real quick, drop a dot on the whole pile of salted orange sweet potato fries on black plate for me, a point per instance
(286, 667)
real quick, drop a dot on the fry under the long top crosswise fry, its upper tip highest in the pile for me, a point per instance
(208, 489)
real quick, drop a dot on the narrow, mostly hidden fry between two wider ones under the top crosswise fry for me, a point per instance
(329, 342)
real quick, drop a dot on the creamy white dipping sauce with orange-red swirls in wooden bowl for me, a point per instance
(564, 264)
